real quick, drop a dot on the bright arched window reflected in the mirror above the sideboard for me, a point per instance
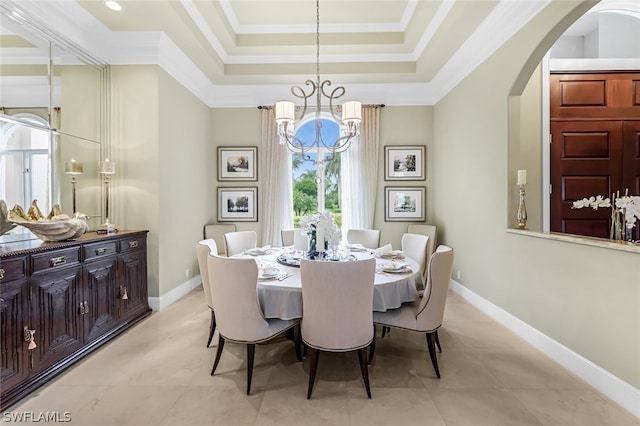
(24, 163)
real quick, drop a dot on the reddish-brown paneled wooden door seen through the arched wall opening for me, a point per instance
(595, 149)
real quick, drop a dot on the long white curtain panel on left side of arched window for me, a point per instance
(277, 182)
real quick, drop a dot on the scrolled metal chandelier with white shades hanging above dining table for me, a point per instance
(348, 115)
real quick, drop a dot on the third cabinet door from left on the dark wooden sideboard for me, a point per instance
(100, 297)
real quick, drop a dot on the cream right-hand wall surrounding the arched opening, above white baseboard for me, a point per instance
(586, 298)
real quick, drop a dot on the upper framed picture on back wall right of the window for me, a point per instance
(405, 162)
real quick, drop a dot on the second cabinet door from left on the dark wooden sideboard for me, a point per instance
(55, 312)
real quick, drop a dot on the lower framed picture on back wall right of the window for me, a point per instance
(405, 204)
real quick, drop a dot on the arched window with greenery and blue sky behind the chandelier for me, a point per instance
(316, 179)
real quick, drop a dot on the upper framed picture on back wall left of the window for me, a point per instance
(237, 163)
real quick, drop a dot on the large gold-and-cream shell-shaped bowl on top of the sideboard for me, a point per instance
(55, 227)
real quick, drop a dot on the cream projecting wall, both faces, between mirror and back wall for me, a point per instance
(162, 147)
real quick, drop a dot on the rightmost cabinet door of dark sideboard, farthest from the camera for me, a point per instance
(134, 280)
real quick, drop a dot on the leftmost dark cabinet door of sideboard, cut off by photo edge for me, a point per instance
(13, 348)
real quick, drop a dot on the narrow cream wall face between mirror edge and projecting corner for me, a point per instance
(136, 200)
